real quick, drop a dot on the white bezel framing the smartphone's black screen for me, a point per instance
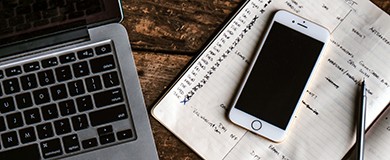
(260, 126)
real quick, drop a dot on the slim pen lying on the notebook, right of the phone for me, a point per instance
(360, 129)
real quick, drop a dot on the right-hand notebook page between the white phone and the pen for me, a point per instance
(324, 128)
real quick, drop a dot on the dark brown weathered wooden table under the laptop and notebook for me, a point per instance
(165, 35)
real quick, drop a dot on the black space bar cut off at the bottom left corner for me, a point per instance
(20, 153)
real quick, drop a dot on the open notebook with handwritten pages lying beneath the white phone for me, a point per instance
(195, 107)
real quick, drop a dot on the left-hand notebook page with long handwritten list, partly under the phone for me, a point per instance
(195, 108)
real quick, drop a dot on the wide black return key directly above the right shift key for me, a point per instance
(108, 97)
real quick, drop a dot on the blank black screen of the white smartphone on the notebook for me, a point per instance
(279, 75)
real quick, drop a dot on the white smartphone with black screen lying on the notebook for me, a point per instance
(271, 90)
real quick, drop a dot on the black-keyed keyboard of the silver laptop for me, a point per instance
(63, 104)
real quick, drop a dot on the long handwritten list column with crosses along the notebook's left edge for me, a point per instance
(215, 56)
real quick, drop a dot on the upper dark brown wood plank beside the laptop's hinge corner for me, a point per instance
(174, 26)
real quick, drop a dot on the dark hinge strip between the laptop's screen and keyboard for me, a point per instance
(47, 42)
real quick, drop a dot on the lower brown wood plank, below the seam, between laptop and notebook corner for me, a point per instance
(156, 72)
